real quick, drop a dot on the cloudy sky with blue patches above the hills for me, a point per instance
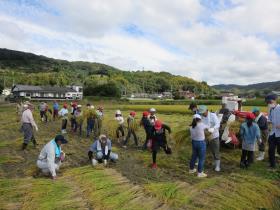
(217, 41)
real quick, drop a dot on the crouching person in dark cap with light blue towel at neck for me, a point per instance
(51, 156)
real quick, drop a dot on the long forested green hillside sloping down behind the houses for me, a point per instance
(27, 68)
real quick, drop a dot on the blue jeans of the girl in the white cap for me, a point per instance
(198, 151)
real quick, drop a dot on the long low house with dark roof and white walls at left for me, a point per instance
(47, 92)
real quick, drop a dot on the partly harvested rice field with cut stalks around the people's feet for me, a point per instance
(130, 183)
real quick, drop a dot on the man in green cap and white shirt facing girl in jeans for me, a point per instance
(211, 120)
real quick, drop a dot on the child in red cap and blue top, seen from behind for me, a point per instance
(250, 134)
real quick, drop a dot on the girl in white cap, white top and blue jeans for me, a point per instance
(198, 145)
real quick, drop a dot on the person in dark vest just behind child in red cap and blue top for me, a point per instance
(261, 120)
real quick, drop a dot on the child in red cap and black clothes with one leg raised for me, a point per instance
(158, 135)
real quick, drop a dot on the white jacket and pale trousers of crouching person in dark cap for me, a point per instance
(47, 157)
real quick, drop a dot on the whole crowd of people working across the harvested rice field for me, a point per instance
(205, 123)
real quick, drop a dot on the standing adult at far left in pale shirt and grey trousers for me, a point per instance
(28, 123)
